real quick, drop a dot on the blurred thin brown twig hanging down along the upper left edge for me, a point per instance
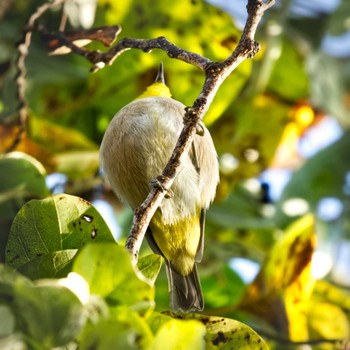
(23, 50)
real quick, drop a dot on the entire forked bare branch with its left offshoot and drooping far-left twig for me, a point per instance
(215, 74)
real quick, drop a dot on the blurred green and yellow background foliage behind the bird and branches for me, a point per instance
(280, 125)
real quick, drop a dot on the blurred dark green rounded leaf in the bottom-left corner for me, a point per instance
(48, 315)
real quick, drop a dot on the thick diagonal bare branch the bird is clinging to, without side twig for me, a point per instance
(216, 73)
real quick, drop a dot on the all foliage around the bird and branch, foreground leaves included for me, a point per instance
(275, 271)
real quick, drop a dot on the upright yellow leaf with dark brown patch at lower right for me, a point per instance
(284, 279)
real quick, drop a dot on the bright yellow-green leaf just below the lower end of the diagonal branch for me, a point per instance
(108, 270)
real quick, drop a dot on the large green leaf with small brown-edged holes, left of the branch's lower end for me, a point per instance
(46, 233)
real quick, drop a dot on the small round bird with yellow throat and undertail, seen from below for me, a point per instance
(135, 149)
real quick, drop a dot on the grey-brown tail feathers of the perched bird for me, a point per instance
(185, 291)
